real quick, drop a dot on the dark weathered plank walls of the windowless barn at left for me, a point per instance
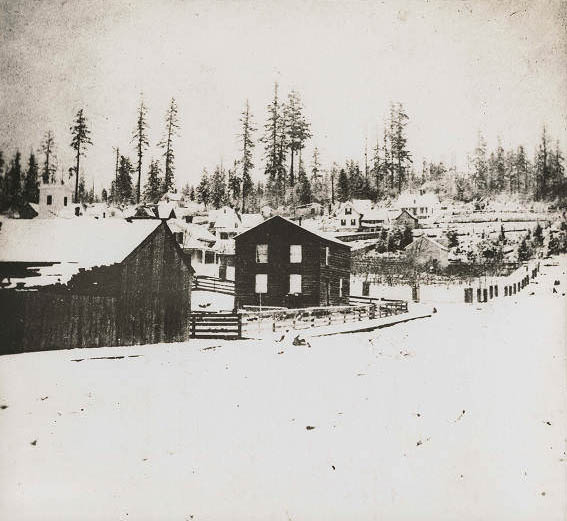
(147, 302)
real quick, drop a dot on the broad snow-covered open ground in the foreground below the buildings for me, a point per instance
(457, 417)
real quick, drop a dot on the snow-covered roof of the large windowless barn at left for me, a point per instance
(85, 241)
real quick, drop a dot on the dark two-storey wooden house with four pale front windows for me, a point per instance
(279, 263)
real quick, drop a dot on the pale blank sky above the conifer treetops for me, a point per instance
(458, 67)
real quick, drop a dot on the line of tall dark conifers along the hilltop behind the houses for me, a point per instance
(289, 178)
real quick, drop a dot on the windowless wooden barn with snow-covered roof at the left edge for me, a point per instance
(88, 283)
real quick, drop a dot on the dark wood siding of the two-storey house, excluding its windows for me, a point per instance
(278, 234)
